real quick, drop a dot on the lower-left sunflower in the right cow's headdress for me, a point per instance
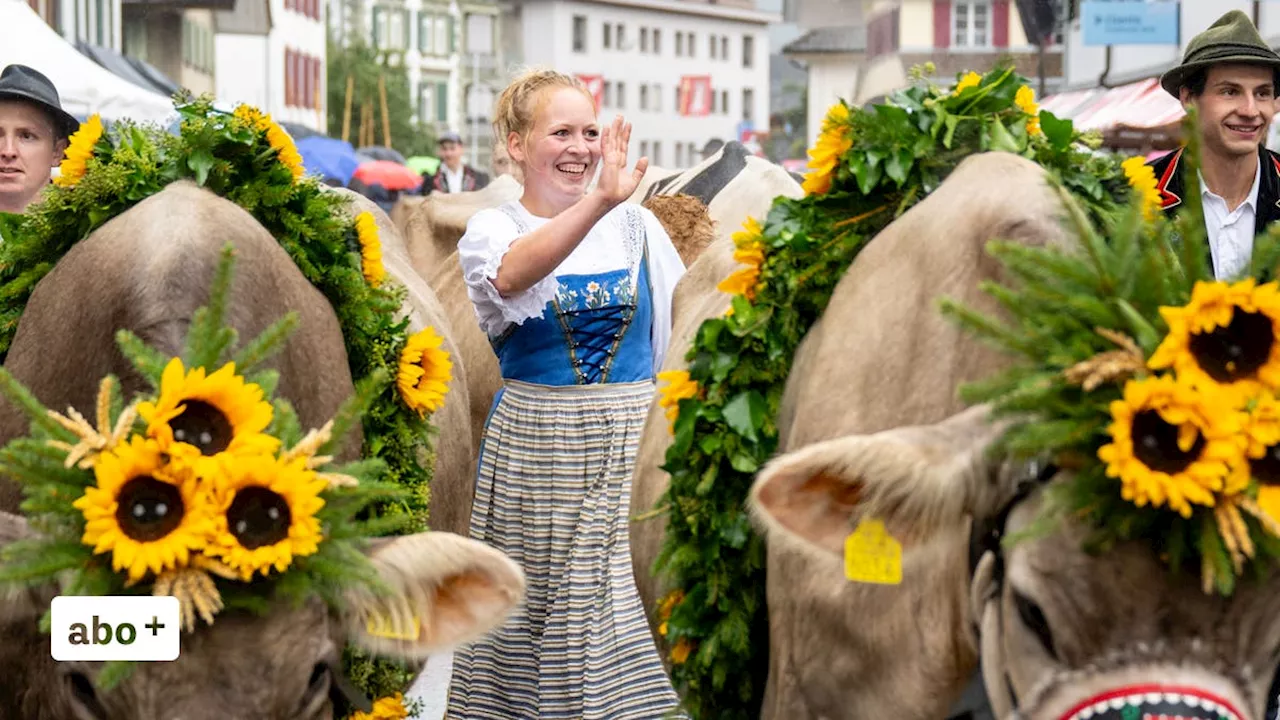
(1173, 445)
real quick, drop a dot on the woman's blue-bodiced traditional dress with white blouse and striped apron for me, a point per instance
(579, 352)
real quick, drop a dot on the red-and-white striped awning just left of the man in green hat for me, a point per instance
(1141, 106)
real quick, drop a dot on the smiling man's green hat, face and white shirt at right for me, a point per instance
(1229, 75)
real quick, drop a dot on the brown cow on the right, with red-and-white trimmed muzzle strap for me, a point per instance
(872, 426)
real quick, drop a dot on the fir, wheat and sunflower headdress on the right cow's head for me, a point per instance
(1155, 384)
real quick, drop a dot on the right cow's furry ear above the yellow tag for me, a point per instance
(916, 480)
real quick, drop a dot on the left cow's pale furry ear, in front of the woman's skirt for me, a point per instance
(441, 591)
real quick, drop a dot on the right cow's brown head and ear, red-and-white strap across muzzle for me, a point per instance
(1066, 635)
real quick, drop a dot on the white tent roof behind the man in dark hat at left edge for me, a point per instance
(84, 86)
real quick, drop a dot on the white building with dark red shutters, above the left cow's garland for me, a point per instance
(272, 54)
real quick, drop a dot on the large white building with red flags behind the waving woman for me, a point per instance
(643, 52)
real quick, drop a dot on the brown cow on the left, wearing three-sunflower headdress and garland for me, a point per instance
(147, 271)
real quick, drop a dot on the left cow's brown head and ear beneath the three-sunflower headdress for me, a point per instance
(281, 664)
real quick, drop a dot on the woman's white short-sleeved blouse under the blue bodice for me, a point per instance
(491, 234)
